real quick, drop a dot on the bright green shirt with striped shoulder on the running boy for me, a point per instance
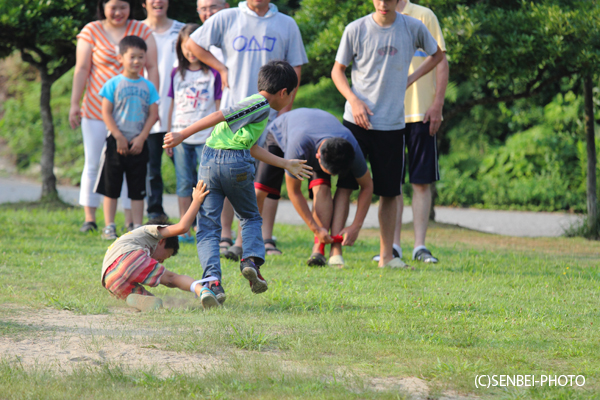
(243, 125)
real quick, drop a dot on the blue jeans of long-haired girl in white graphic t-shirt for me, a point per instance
(186, 158)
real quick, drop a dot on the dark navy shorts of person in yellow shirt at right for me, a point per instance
(422, 154)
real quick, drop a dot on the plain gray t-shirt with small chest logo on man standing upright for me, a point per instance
(380, 60)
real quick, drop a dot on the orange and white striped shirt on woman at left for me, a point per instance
(104, 62)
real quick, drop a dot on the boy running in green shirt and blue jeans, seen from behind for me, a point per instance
(227, 166)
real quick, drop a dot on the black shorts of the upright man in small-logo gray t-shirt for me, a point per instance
(385, 152)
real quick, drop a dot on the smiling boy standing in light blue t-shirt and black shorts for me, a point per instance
(129, 109)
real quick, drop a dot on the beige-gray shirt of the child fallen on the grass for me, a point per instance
(143, 238)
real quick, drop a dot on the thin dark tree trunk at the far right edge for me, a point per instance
(590, 134)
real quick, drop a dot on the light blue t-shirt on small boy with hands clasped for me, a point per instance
(131, 101)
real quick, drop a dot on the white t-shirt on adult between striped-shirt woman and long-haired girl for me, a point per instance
(166, 56)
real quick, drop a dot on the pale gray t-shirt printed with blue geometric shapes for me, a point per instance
(248, 42)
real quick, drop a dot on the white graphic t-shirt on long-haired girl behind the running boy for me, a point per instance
(194, 97)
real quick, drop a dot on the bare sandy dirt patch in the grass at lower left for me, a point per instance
(67, 340)
